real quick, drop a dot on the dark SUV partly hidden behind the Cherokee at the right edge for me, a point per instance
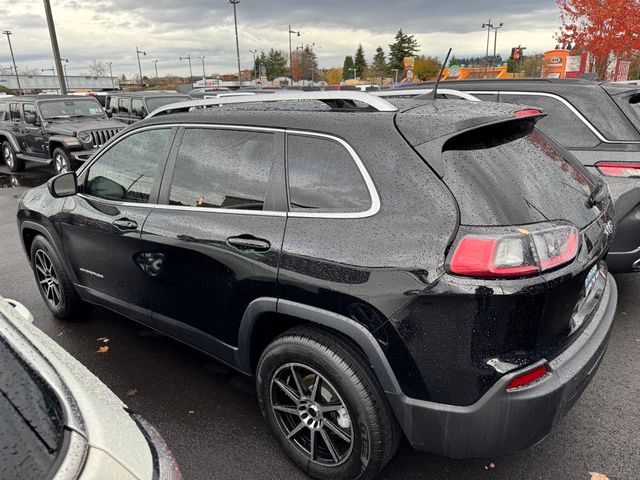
(600, 124)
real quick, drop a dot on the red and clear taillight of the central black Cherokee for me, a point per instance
(511, 252)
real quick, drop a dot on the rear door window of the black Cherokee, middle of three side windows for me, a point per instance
(223, 169)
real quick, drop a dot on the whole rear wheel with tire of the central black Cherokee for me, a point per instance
(348, 409)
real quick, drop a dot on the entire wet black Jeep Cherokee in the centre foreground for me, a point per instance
(431, 268)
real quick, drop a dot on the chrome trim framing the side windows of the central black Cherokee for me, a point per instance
(373, 193)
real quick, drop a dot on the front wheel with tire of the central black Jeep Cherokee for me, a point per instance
(56, 288)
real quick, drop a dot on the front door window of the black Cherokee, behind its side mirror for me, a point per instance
(127, 171)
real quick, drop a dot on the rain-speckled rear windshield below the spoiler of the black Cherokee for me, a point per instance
(512, 174)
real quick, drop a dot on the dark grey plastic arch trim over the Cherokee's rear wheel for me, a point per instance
(288, 314)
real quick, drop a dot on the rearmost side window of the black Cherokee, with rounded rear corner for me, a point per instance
(324, 177)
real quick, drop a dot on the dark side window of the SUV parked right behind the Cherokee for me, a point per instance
(560, 123)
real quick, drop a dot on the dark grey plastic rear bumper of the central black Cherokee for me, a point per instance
(504, 421)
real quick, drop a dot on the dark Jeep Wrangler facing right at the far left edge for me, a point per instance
(60, 130)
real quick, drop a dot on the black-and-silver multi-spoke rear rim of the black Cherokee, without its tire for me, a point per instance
(311, 414)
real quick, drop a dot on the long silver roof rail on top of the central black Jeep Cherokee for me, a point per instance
(376, 103)
